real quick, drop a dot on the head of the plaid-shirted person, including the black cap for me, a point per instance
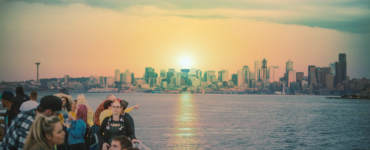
(50, 105)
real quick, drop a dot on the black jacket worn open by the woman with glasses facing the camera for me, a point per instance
(128, 130)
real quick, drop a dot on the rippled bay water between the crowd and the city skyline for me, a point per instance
(223, 121)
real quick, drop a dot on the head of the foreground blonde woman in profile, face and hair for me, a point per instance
(45, 132)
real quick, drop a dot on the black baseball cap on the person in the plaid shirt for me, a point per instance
(52, 102)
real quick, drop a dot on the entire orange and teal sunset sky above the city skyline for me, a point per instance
(96, 37)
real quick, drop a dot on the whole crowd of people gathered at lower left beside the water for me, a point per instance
(58, 122)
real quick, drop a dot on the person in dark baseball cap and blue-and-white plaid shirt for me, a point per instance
(15, 136)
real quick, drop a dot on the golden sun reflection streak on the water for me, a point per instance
(185, 136)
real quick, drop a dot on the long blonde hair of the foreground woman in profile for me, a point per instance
(42, 126)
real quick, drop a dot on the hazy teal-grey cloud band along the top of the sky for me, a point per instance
(343, 15)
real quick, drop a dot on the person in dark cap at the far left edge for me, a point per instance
(12, 110)
